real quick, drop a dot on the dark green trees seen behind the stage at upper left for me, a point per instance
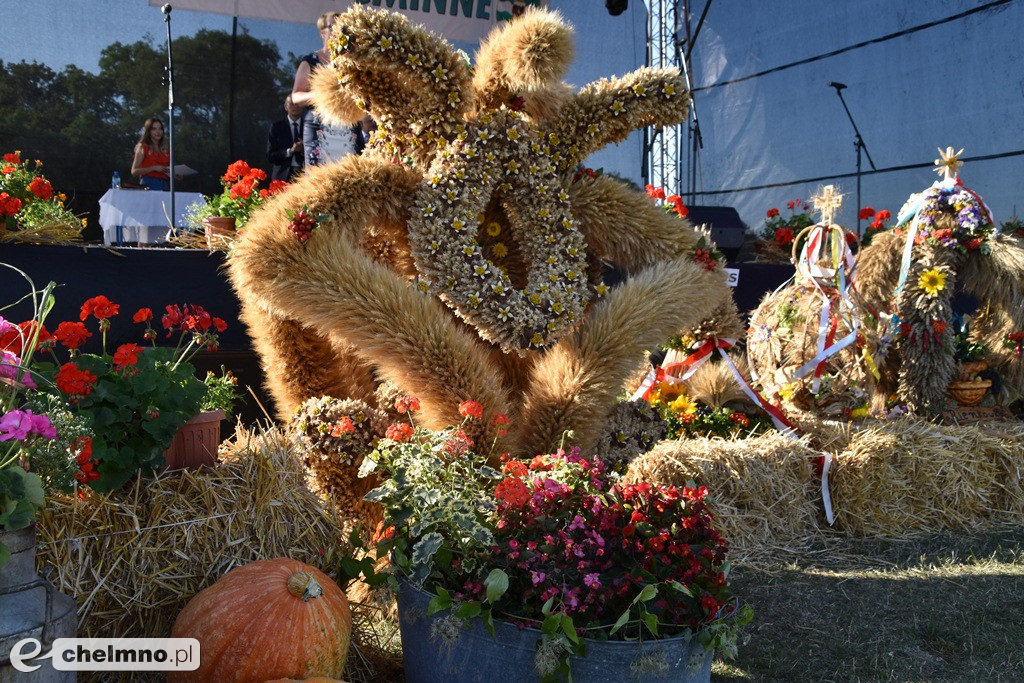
(84, 126)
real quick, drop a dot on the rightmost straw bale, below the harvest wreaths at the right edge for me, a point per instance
(904, 477)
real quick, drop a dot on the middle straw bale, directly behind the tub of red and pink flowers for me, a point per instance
(763, 491)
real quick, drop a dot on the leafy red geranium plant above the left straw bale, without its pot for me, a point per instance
(134, 399)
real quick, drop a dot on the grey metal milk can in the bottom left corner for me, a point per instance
(31, 608)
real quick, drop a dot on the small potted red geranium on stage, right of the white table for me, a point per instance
(229, 211)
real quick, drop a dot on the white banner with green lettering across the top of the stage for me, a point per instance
(463, 21)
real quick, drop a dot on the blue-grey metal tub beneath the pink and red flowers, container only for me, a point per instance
(441, 648)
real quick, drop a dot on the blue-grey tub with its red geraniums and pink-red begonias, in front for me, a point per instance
(545, 570)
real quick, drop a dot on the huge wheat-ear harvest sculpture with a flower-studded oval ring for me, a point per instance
(460, 255)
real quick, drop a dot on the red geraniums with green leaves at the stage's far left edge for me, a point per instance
(30, 209)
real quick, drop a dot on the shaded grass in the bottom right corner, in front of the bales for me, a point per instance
(943, 608)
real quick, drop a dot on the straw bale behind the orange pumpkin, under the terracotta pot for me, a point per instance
(135, 558)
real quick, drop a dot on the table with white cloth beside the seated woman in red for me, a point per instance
(142, 216)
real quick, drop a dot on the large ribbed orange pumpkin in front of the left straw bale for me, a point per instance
(270, 619)
